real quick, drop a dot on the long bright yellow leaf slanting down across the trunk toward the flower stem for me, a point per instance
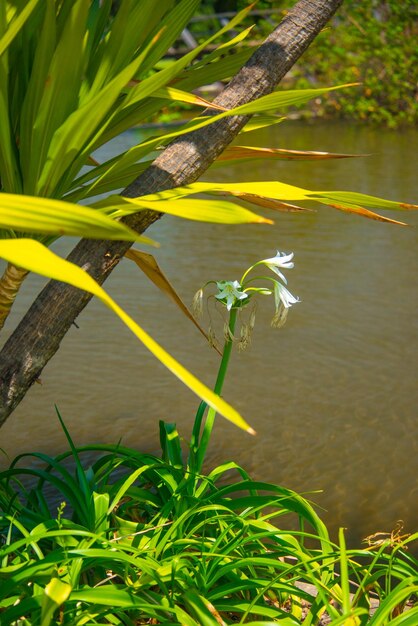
(35, 257)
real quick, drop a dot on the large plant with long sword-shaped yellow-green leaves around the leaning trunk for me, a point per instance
(76, 74)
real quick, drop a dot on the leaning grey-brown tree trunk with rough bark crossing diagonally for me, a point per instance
(38, 336)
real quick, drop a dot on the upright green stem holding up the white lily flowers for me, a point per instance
(198, 448)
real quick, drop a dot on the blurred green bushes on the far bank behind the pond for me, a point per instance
(372, 42)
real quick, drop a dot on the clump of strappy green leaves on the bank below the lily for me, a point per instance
(136, 539)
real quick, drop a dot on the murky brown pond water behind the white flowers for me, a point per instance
(332, 395)
